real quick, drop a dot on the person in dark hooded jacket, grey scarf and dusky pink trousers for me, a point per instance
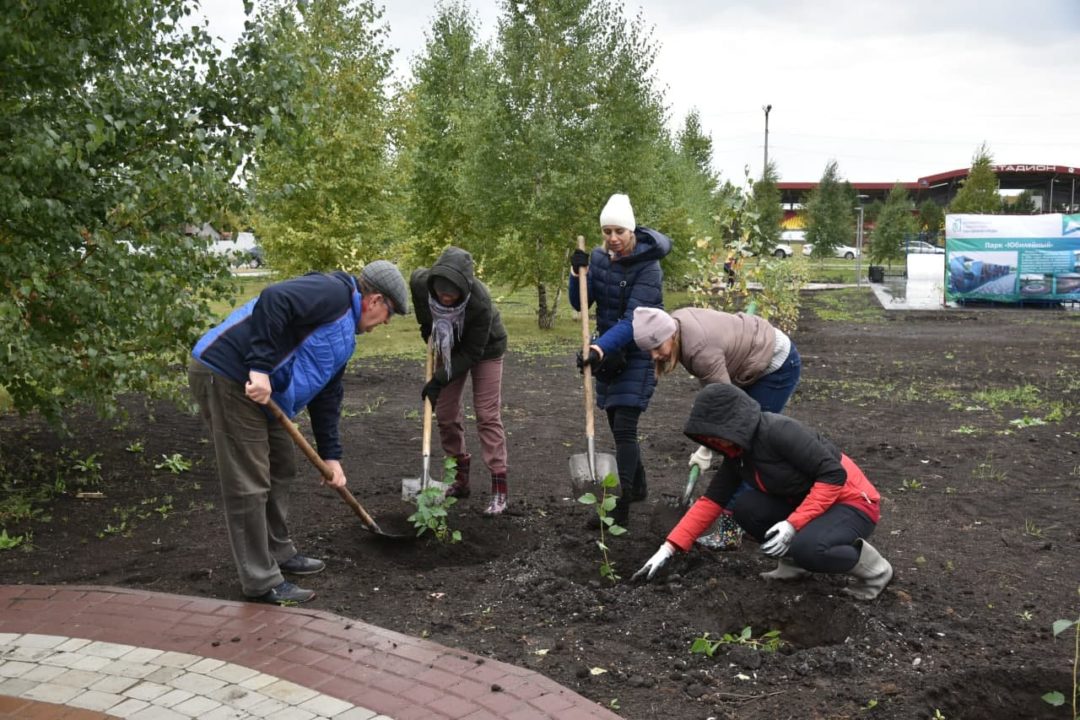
(456, 311)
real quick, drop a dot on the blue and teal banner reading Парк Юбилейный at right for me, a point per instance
(1012, 259)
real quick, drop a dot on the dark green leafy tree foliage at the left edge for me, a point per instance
(119, 129)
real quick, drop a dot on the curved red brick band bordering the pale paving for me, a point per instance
(393, 674)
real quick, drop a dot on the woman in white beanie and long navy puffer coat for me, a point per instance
(624, 275)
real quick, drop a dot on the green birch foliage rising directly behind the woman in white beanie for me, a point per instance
(572, 91)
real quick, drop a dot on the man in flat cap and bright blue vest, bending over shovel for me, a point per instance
(291, 344)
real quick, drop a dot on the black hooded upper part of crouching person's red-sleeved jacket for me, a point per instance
(780, 456)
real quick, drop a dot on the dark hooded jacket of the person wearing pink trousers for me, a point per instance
(484, 337)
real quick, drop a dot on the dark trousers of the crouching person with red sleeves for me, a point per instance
(826, 545)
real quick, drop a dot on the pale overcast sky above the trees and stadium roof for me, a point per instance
(892, 90)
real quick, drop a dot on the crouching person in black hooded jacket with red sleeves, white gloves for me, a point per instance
(809, 505)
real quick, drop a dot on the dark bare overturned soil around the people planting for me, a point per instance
(967, 422)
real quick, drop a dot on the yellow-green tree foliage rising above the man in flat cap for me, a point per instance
(325, 191)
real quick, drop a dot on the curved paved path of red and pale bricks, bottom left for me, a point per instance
(90, 654)
